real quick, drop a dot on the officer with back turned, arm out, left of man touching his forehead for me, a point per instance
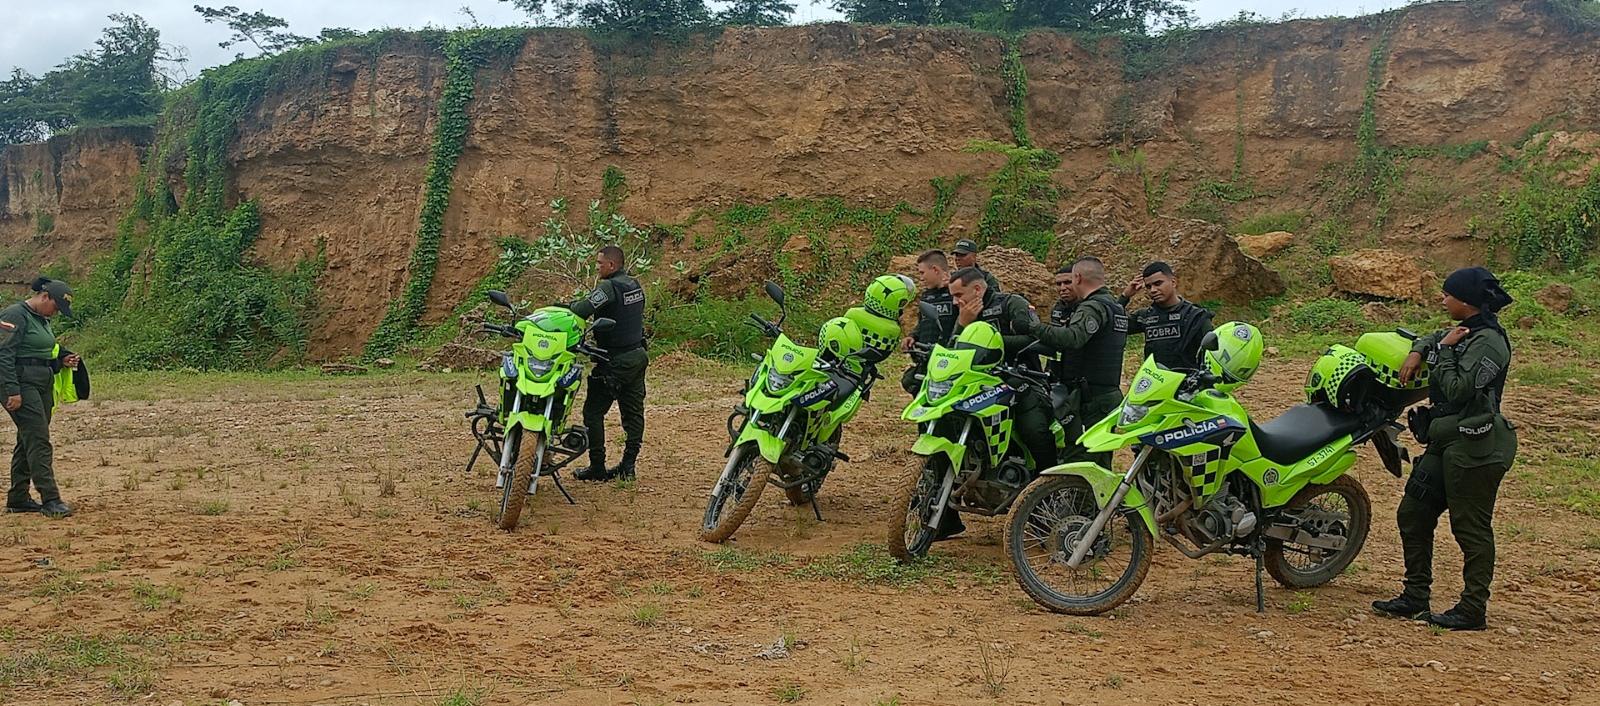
(1097, 332)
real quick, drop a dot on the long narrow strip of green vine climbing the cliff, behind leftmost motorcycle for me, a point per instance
(465, 54)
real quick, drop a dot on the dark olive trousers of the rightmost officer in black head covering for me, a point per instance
(1468, 494)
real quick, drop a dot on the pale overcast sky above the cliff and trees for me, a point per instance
(39, 34)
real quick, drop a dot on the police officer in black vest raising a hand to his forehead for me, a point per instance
(1172, 326)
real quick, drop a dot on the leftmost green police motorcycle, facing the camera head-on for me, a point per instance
(540, 377)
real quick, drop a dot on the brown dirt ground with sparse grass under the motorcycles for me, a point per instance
(308, 540)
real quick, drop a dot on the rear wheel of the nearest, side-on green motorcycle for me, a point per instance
(1289, 564)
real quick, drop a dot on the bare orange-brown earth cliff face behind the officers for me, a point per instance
(868, 114)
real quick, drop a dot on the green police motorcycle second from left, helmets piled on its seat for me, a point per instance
(788, 428)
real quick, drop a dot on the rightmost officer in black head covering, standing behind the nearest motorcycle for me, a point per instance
(1470, 449)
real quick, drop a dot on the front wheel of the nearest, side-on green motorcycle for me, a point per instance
(1044, 529)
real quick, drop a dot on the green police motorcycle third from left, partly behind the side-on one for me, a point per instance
(966, 459)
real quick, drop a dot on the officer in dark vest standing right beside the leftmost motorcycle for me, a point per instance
(622, 379)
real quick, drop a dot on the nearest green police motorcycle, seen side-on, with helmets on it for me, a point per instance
(1207, 478)
